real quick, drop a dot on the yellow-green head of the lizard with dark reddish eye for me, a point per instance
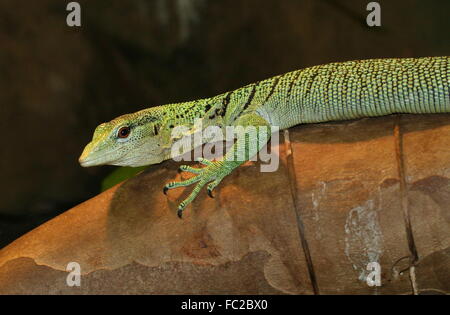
(129, 140)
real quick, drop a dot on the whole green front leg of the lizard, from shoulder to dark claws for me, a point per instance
(247, 144)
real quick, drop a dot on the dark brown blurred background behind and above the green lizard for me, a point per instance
(57, 83)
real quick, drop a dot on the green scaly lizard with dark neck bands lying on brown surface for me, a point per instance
(336, 91)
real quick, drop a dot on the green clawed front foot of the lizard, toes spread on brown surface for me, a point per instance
(212, 173)
